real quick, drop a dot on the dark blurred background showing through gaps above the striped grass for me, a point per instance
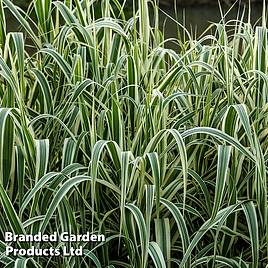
(195, 15)
